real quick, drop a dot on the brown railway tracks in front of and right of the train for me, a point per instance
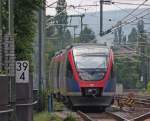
(138, 113)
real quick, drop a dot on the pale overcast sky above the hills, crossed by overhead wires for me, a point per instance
(51, 11)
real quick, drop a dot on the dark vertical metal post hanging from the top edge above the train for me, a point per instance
(101, 17)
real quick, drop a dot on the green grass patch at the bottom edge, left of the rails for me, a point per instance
(45, 116)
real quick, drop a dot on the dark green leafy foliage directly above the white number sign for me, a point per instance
(24, 22)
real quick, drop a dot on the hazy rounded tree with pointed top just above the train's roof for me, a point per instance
(87, 35)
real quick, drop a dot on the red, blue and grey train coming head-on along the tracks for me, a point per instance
(83, 75)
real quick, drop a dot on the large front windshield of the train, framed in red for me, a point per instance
(90, 65)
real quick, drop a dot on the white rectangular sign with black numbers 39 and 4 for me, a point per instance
(22, 71)
